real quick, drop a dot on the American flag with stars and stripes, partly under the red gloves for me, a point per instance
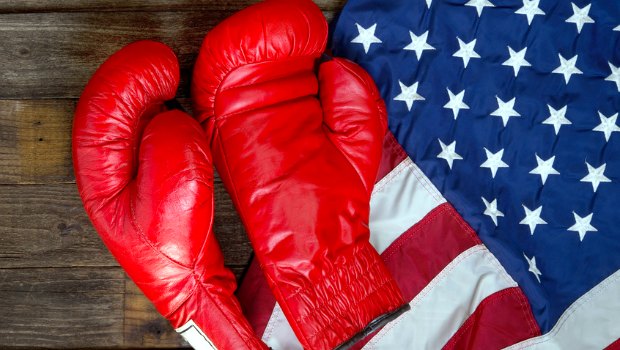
(497, 208)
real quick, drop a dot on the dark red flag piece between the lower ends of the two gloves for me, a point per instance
(256, 298)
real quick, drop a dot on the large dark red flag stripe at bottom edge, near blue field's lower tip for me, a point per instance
(502, 319)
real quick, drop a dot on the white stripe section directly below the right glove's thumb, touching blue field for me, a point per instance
(400, 200)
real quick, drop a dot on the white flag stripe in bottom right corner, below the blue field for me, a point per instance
(591, 322)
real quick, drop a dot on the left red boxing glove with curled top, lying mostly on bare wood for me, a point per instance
(146, 180)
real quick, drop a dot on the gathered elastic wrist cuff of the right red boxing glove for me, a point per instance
(356, 296)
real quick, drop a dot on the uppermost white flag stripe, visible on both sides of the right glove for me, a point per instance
(401, 199)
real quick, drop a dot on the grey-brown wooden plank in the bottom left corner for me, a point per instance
(56, 308)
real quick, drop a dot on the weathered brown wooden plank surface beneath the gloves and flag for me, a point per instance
(59, 286)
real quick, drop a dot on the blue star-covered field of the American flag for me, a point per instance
(510, 107)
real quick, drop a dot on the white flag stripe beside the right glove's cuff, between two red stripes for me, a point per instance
(445, 303)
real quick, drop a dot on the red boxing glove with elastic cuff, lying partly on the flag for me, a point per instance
(299, 154)
